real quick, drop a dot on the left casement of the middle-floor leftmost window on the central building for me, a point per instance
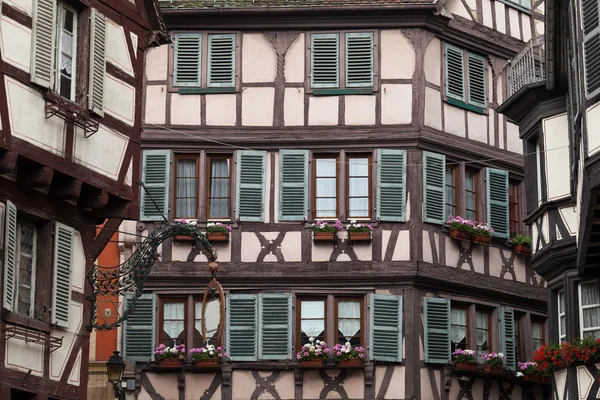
(186, 178)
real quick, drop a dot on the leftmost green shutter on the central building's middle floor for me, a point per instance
(155, 175)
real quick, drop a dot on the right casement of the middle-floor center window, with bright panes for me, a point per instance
(359, 187)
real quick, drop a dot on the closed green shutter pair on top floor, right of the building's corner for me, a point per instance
(466, 75)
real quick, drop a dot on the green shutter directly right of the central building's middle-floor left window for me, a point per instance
(251, 170)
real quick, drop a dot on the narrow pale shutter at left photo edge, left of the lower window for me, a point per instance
(10, 256)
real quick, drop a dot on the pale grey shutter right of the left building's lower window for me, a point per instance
(63, 263)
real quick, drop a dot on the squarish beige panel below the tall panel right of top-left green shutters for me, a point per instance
(257, 106)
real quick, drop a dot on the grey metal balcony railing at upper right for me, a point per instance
(528, 66)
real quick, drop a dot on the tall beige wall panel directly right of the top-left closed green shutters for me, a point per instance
(259, 61)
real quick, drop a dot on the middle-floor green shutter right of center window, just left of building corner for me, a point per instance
(391, 185)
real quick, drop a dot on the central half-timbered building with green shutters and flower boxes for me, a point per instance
(269, 119)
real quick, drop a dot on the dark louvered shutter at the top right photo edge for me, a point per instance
(591, 46)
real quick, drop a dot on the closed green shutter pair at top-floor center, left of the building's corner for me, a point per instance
(332, 68)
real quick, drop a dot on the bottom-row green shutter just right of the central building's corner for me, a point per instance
(437, 330)
